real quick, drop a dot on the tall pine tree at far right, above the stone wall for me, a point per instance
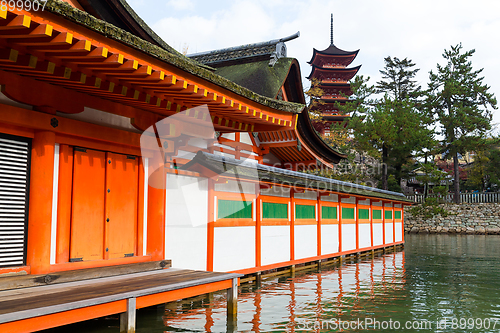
(459, 100)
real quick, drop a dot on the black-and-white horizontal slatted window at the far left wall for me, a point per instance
(14, 183)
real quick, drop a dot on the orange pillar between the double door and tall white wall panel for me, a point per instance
(156, 212)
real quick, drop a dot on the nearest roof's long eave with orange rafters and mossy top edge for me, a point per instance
(97, 61)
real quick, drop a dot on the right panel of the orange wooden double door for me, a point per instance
(121, 205)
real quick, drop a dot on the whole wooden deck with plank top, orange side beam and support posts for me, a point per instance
(41, 307)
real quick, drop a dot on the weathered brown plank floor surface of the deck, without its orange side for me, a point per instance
(32, 302)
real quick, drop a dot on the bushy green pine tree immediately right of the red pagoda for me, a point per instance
(394, 127)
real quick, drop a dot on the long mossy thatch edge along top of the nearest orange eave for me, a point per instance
(171, 56)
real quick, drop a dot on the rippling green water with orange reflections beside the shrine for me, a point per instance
(440, 283)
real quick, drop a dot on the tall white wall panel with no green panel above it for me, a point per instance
(186, 222)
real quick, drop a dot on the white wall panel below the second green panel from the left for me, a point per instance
(275, 244)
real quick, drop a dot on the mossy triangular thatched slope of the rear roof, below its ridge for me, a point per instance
(258, 76)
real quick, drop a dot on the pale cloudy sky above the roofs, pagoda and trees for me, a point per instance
(417, 30)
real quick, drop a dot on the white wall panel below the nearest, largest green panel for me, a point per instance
(234, 248)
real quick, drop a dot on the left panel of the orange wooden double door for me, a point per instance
(87, 222)
